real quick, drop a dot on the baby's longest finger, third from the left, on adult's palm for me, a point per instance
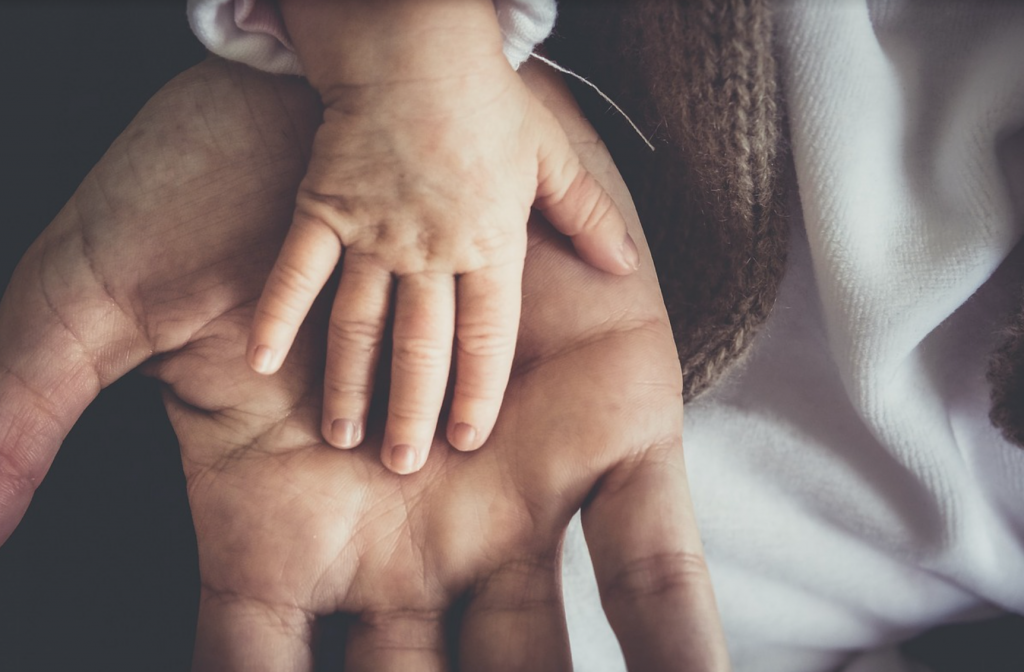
(424, 327)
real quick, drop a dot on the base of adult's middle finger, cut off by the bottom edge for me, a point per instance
(396, 642)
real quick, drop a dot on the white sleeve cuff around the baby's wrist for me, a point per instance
(252, 31)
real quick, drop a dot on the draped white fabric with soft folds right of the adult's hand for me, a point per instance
(850, 489)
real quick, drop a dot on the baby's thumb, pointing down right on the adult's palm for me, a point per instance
(576, 204)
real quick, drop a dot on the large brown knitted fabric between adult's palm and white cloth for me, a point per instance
(701, 76)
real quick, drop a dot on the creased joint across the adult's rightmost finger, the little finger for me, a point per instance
(658, 576)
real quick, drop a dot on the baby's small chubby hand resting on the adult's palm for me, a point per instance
(421, 182)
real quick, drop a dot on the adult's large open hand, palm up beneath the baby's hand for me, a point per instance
(159, 258)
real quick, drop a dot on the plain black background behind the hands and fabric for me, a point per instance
(102, 575)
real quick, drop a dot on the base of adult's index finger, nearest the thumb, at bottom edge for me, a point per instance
(238, 635)
